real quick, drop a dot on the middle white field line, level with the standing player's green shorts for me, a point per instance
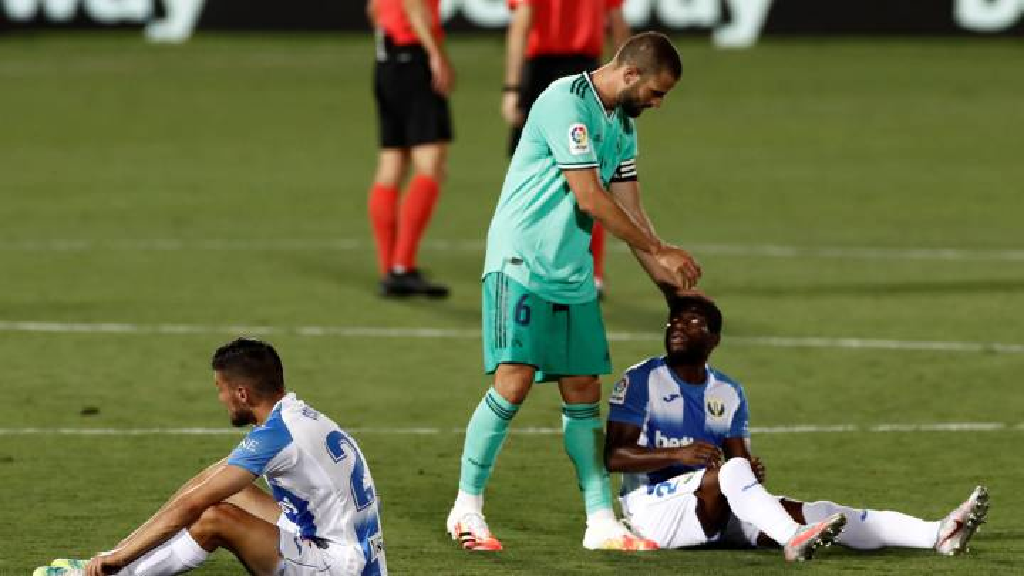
(458, 334)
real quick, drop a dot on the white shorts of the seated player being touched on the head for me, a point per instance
(667, 514)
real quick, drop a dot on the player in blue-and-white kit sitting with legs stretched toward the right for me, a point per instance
(671, 421)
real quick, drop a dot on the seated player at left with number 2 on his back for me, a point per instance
(330, 525)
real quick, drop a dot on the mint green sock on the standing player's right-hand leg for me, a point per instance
(582, 430)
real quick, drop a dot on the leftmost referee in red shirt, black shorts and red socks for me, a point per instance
(412, 83)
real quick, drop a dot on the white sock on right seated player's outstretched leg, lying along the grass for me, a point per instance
(868, 530)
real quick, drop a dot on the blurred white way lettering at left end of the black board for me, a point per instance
(180, 17)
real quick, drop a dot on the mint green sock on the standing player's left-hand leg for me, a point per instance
(485, 436)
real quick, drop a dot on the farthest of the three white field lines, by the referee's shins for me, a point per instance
(745, 251)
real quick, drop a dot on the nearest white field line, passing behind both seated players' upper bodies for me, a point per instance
(529, 431)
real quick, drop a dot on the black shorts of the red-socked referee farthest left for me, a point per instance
(409, 111)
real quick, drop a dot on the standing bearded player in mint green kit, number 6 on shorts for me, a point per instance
(542, 322)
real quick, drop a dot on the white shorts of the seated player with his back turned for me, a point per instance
(302, 557)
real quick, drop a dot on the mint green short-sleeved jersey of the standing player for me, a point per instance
(539, 236)
